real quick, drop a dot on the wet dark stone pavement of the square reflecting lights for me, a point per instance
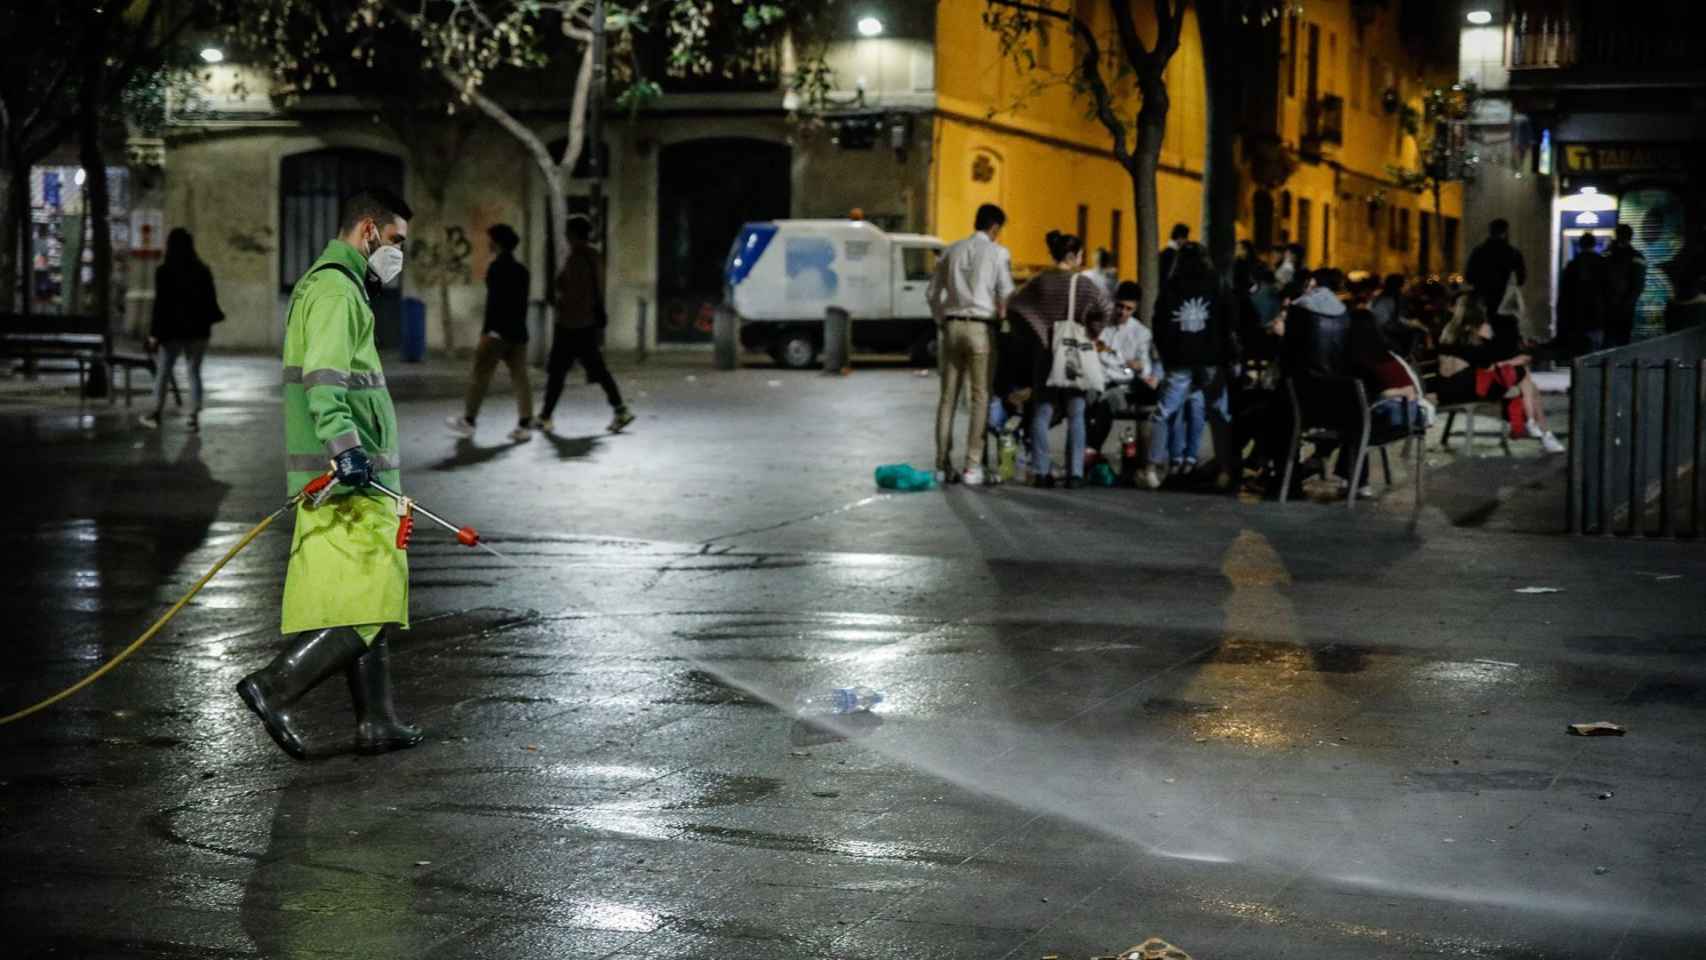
(1111, 715)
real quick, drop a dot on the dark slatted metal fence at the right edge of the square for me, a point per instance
(1639, 437)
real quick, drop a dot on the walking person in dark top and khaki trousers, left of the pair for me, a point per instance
(502, 338)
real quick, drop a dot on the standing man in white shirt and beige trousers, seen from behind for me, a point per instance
(968, 296)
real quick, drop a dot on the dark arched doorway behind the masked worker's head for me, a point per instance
(311, 187)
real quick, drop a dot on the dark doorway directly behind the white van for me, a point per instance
(705, 192)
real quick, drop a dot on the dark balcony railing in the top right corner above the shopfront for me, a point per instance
(1651, 37)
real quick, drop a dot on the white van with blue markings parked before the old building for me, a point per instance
(782, 275)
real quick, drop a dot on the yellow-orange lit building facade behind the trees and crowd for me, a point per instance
(1028, 142)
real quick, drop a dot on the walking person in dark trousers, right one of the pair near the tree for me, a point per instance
(581, 321)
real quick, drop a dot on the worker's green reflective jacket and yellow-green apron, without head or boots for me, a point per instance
(345, 567)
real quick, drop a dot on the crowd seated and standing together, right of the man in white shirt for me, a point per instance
(1222, 354)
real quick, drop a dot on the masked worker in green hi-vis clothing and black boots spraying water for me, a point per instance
(349, 582)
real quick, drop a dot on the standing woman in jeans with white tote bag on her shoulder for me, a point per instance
(1050, 298)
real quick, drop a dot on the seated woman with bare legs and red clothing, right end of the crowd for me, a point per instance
(1480, 366)
